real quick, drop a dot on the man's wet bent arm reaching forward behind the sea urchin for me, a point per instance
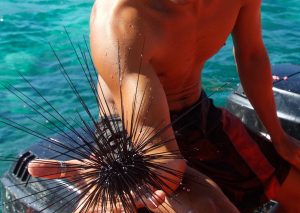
(122, 47)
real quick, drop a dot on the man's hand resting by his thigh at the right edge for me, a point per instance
(289, 149)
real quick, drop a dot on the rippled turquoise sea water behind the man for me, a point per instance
(27, 26)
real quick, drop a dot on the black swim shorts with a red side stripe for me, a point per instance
(244, 165)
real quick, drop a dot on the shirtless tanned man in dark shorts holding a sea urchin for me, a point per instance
(175, 38)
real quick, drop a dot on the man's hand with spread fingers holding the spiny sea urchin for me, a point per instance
(74, 172)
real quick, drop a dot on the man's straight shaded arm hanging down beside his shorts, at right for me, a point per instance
(255, 74)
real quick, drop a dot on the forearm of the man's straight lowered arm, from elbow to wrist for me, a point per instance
(256, 78)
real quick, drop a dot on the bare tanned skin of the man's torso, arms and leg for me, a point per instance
(176, 38)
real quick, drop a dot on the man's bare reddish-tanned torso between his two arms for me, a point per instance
(186, 36)
